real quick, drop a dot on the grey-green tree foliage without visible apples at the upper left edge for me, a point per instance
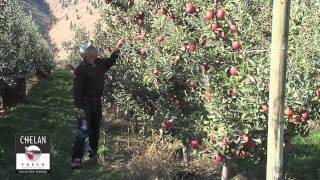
(22, 48)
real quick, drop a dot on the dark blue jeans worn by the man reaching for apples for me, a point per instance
(92, 108)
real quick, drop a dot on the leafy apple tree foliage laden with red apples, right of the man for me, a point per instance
(206, 78)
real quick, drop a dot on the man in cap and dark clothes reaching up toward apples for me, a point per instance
(88, 87)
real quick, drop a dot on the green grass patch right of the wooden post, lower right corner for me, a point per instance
(303, 162)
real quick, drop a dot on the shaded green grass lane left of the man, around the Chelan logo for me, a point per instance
(48, 108)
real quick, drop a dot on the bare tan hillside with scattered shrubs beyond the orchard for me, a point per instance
(58, 19)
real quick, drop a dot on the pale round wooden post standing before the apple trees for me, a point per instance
(279, 49)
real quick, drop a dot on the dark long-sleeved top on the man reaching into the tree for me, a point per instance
(89, 80)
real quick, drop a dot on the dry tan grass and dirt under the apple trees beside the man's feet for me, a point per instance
(133, 156)
